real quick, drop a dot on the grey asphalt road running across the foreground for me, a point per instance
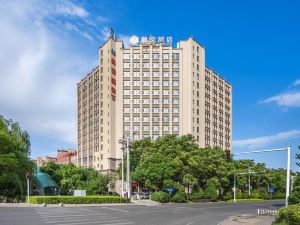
(166, 214)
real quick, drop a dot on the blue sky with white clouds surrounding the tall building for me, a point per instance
(48, 46)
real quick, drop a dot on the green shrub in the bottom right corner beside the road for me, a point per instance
(290, 215)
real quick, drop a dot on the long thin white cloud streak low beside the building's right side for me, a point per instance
(264, 141)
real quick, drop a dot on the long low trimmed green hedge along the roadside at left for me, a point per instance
(76, 199)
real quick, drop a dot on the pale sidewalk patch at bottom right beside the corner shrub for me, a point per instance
(249, 220)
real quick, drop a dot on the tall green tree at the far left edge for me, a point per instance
(14, 159)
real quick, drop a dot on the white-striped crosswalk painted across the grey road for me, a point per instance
(80, 216)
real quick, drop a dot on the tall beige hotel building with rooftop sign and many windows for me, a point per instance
(150, 89)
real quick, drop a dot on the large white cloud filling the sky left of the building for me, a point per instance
(41, 60)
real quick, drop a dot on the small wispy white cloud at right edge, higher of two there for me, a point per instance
(288, 99)
